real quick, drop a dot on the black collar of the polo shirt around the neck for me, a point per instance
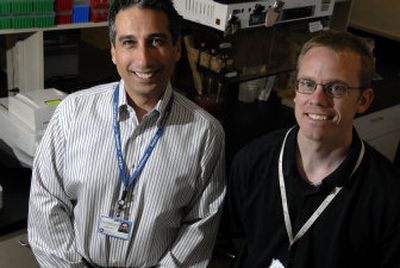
(338, 177)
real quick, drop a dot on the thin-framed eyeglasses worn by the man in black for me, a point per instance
(332, 89)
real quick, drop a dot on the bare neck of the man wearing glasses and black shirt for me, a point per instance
(316, 160)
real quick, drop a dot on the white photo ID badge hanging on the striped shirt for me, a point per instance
(115, 227)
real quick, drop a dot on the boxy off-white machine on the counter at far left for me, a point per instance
(24, 118)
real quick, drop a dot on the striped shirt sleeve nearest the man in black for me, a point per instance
(196, 238)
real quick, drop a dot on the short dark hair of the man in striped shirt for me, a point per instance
(166, 6)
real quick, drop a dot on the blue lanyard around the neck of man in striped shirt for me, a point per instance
(147, 153)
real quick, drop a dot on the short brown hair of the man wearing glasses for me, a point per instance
(340, 41)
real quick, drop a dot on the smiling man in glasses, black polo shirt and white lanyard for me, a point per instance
(317, 195)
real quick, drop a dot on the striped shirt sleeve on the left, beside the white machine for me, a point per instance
(50, 228)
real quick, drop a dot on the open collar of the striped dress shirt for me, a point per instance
(158, 109)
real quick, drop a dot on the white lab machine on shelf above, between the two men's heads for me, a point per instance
(223, 15)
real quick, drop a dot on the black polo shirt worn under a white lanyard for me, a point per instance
(359, 228)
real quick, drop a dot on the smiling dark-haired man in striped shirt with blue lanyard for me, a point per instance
(130, 174)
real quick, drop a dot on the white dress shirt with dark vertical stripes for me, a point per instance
(175, 204)
